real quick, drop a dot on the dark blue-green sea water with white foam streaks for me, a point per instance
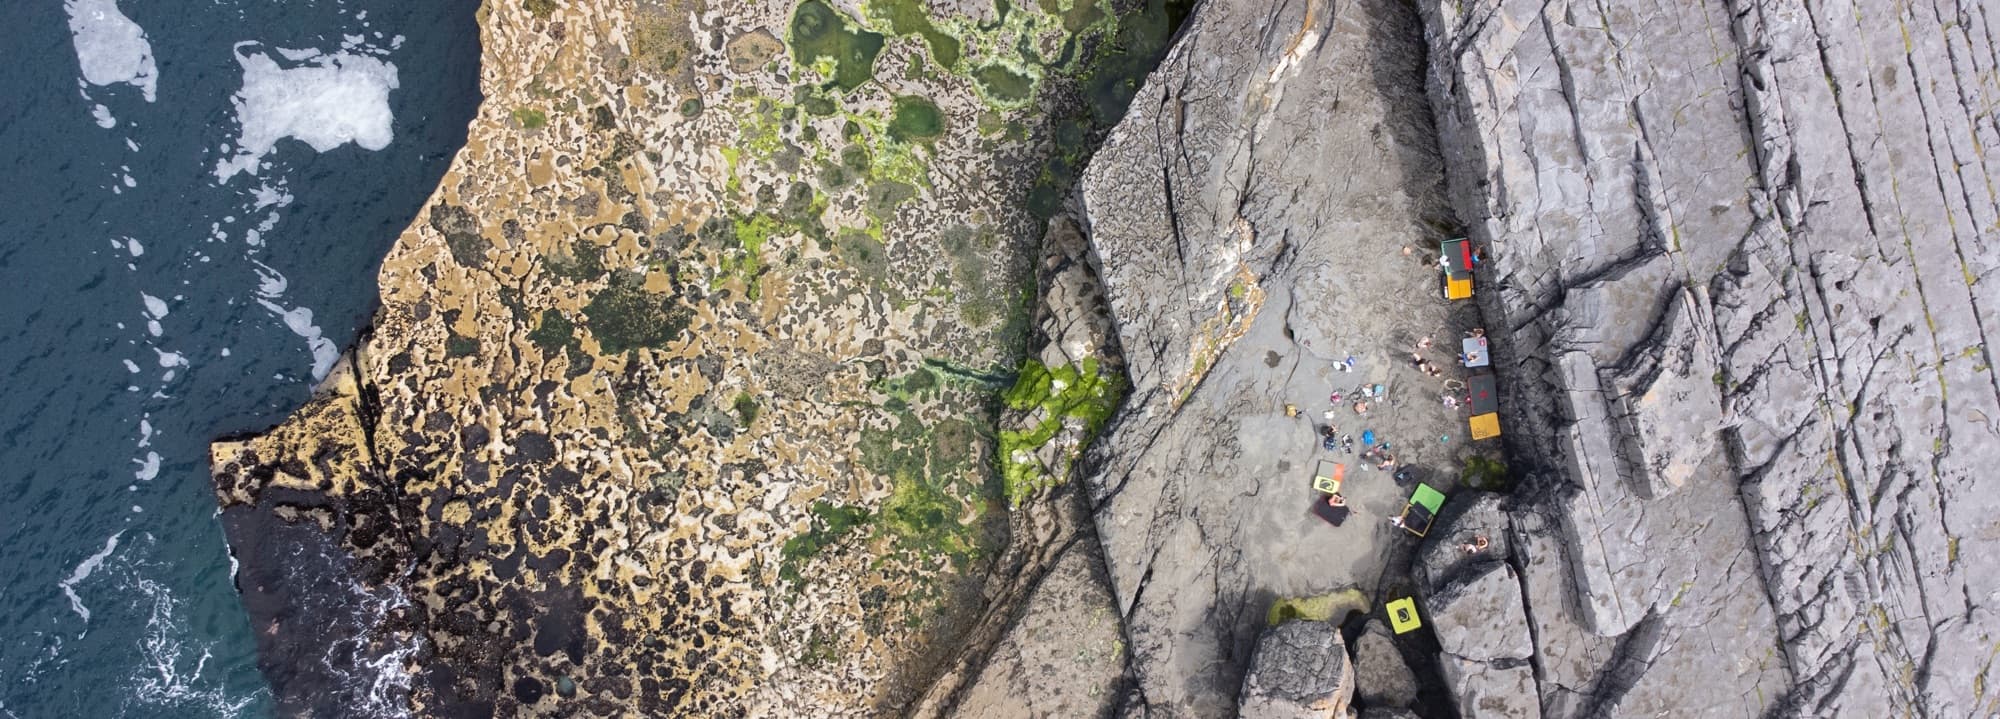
(197, 201)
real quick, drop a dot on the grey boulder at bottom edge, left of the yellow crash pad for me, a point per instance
(1301, 670)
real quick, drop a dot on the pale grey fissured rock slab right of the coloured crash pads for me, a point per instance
(1797, 195)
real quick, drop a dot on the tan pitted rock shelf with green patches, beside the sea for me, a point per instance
(683, 390)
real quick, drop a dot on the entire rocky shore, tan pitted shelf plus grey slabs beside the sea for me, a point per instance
(727, 376)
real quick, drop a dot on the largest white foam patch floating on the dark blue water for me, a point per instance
(325, 101)
